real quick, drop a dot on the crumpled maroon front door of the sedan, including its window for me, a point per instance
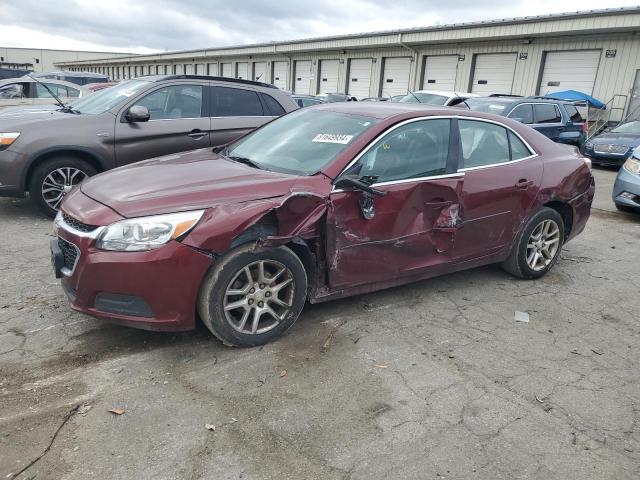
(411, 228)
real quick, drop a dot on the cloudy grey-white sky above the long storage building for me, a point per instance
(143, 26)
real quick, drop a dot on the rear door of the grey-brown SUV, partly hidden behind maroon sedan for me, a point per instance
(234, 112)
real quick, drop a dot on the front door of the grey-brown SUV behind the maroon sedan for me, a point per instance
(179, 122)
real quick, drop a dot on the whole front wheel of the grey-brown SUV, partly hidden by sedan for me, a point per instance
(52, 180)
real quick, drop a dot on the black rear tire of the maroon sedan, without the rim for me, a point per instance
(517, 264)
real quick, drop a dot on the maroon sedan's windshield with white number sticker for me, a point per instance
(302, 142)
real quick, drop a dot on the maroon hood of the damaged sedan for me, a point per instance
(181, 182)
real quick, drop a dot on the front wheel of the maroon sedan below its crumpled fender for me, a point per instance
(227, 273)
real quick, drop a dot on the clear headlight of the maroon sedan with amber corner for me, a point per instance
(147, 233)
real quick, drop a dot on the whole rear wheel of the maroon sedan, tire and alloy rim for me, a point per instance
(538, 246)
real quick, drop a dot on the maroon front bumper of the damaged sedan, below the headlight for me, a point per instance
(152, 290)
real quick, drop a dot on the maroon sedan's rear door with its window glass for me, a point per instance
(501, 180)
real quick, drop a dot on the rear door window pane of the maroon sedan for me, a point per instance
(483, 143)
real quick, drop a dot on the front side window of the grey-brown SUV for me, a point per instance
(175, 101)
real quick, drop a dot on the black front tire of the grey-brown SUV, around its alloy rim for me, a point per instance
(49, 167)
